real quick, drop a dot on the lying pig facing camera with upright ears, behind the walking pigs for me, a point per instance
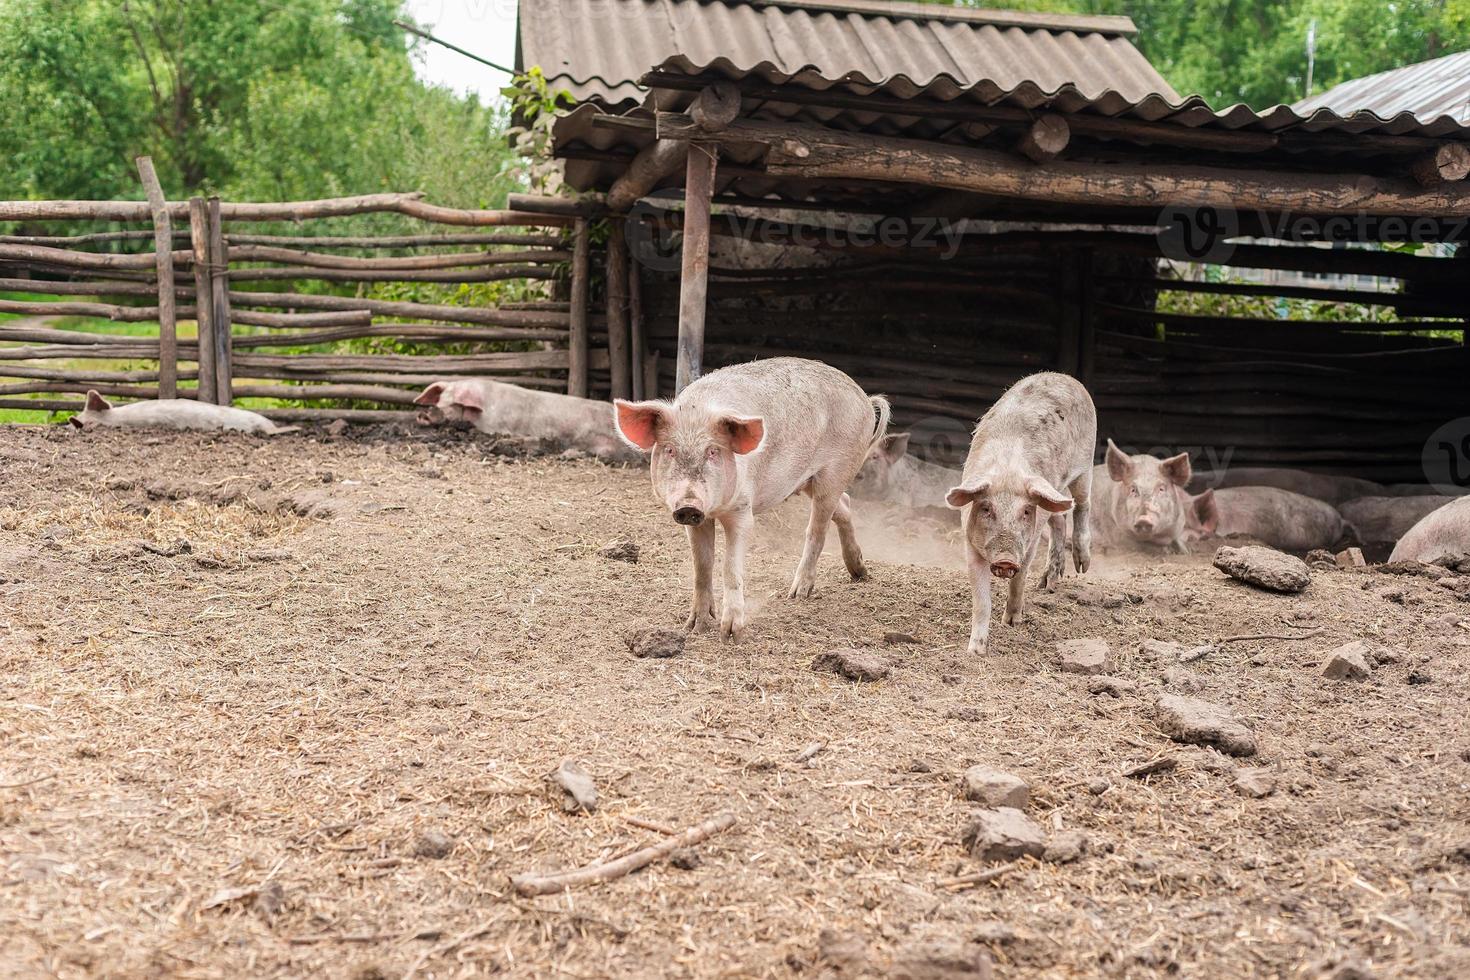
(1141, 500)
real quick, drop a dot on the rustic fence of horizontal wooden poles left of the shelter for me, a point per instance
(254, 295)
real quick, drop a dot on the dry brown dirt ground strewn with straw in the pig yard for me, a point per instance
(315, 738)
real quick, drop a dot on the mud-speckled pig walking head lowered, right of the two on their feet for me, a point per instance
(1031, 456)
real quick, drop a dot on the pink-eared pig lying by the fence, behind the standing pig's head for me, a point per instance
(493, 406)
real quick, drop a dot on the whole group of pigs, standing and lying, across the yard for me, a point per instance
(742, 440)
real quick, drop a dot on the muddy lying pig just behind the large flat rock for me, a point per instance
(1277, 518)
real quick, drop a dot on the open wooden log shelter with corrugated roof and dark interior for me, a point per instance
(942, 201)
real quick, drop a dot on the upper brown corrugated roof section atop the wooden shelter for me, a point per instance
(599, 49)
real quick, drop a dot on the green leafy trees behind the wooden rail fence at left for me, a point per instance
(234, 98)
